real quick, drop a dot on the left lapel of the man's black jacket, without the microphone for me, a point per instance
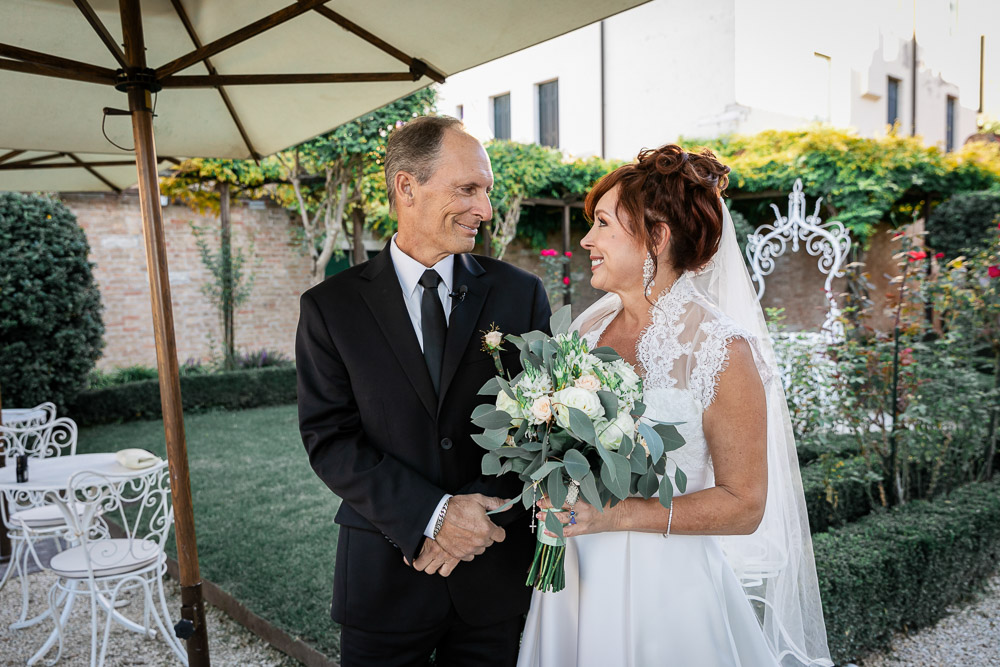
(384, 298)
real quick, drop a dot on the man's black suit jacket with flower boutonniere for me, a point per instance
(376, 435)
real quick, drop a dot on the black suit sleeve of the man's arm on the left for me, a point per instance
(393, 497)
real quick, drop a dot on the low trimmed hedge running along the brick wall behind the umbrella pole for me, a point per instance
(236, 390)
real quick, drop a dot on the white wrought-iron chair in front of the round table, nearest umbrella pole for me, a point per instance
(101, 566)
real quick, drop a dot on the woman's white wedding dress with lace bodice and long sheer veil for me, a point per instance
(639, 599)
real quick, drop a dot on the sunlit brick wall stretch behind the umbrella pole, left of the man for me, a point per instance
(114, 229)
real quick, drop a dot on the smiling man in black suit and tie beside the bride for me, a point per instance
(389, 365)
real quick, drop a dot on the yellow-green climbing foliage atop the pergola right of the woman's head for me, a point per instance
(862, 181)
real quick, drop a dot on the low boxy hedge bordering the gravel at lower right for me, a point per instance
(902, 568)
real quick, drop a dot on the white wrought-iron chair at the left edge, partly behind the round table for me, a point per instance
(27, 516)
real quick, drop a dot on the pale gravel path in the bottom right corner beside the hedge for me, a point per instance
(968, 637)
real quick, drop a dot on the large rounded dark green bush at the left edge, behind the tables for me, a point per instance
(50, 306)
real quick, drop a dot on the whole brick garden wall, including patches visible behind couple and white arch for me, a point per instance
(268, 320)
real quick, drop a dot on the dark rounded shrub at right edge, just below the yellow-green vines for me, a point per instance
(964, 222)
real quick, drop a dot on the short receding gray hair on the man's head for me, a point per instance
(415, 148)
